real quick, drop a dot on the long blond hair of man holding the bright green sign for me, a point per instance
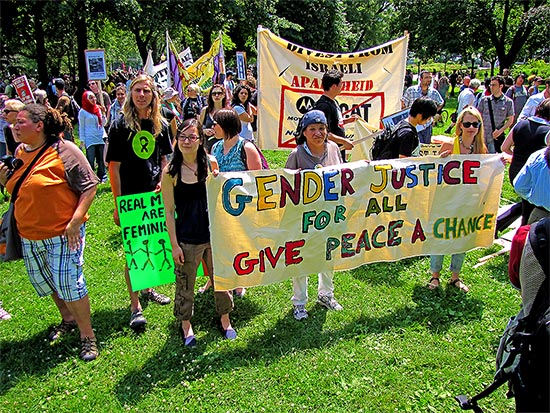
(129, 110)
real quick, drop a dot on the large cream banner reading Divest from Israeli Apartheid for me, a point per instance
(290, 83)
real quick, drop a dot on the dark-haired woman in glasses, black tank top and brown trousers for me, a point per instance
(184, 194)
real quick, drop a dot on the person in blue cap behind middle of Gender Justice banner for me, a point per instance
(314, 150)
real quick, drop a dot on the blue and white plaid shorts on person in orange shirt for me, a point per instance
(53, 267)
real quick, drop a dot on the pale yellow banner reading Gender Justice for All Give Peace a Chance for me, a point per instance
(268, 226)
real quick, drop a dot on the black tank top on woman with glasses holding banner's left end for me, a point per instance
(191, 213)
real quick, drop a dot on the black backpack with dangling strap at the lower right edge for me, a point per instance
(523, 355)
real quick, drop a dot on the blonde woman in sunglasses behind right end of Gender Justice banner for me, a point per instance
(468, 140)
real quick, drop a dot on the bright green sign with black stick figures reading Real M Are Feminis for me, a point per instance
(146, 241)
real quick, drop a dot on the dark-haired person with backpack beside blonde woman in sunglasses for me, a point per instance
(402, 140)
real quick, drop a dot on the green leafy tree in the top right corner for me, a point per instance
(471, 26)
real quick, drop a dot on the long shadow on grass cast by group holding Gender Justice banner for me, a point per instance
(175, 365)
